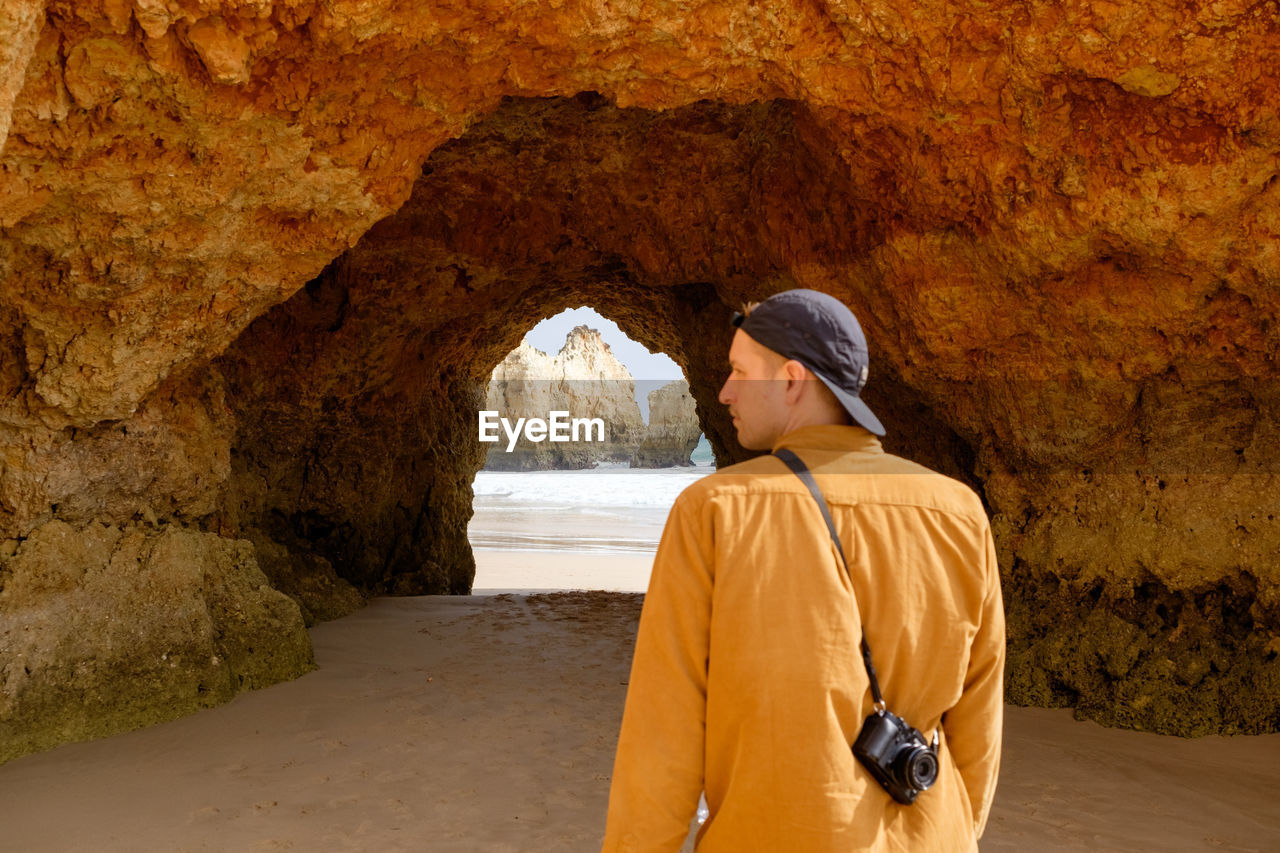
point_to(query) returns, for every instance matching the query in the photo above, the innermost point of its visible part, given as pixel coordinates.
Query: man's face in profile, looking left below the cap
(756, 393)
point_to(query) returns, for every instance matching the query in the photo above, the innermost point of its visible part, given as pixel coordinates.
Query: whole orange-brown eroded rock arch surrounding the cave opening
(1059, 226)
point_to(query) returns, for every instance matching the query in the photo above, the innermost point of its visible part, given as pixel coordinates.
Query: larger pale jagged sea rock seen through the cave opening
(584, 380)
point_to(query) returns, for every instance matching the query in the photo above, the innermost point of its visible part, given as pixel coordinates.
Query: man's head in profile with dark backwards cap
(798, 359)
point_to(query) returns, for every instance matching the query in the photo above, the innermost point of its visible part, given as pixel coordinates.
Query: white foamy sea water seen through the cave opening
(602, 510)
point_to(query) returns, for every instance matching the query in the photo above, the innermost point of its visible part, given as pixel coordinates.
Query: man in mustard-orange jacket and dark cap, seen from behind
(747, 681)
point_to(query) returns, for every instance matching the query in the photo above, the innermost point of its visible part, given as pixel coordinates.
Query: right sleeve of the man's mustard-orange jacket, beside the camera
(976, 724)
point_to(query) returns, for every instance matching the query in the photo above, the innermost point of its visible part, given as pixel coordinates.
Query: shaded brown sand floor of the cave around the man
(490, 724)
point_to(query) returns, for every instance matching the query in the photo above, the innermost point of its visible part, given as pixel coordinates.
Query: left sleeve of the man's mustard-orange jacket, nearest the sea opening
(659, 769)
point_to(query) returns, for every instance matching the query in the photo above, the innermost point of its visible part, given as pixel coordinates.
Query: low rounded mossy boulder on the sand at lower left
(108, 628)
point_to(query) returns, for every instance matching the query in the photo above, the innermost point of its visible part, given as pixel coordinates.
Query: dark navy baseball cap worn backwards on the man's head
(820, 332)
